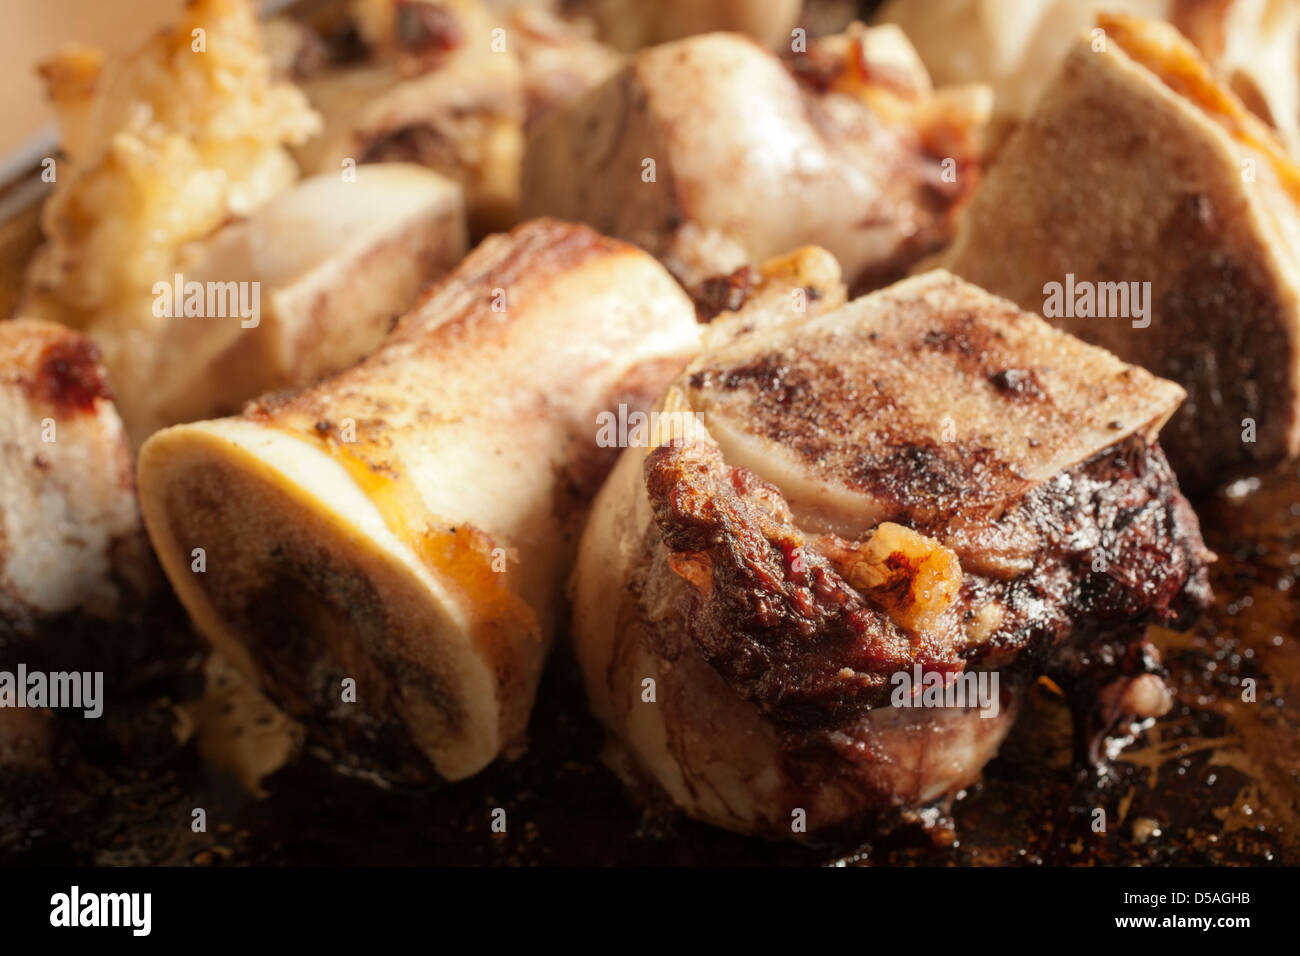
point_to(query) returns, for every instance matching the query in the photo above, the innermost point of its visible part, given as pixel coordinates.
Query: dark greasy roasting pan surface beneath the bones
(1216, 782)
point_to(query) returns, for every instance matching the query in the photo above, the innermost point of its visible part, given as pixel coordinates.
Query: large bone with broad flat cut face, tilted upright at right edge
(1193, 261)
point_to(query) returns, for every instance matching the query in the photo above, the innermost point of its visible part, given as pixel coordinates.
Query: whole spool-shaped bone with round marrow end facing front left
(370, 555)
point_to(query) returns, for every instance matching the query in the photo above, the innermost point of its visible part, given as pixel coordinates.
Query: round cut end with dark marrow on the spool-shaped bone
(304, 586)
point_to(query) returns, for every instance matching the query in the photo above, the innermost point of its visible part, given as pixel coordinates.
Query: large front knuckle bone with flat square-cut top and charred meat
(925, 482)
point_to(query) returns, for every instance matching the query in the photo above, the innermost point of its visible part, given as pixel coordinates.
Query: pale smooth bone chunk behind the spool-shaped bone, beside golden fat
(335, 261)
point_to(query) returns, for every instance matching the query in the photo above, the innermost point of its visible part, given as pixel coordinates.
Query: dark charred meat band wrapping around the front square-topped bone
(778, 621)
